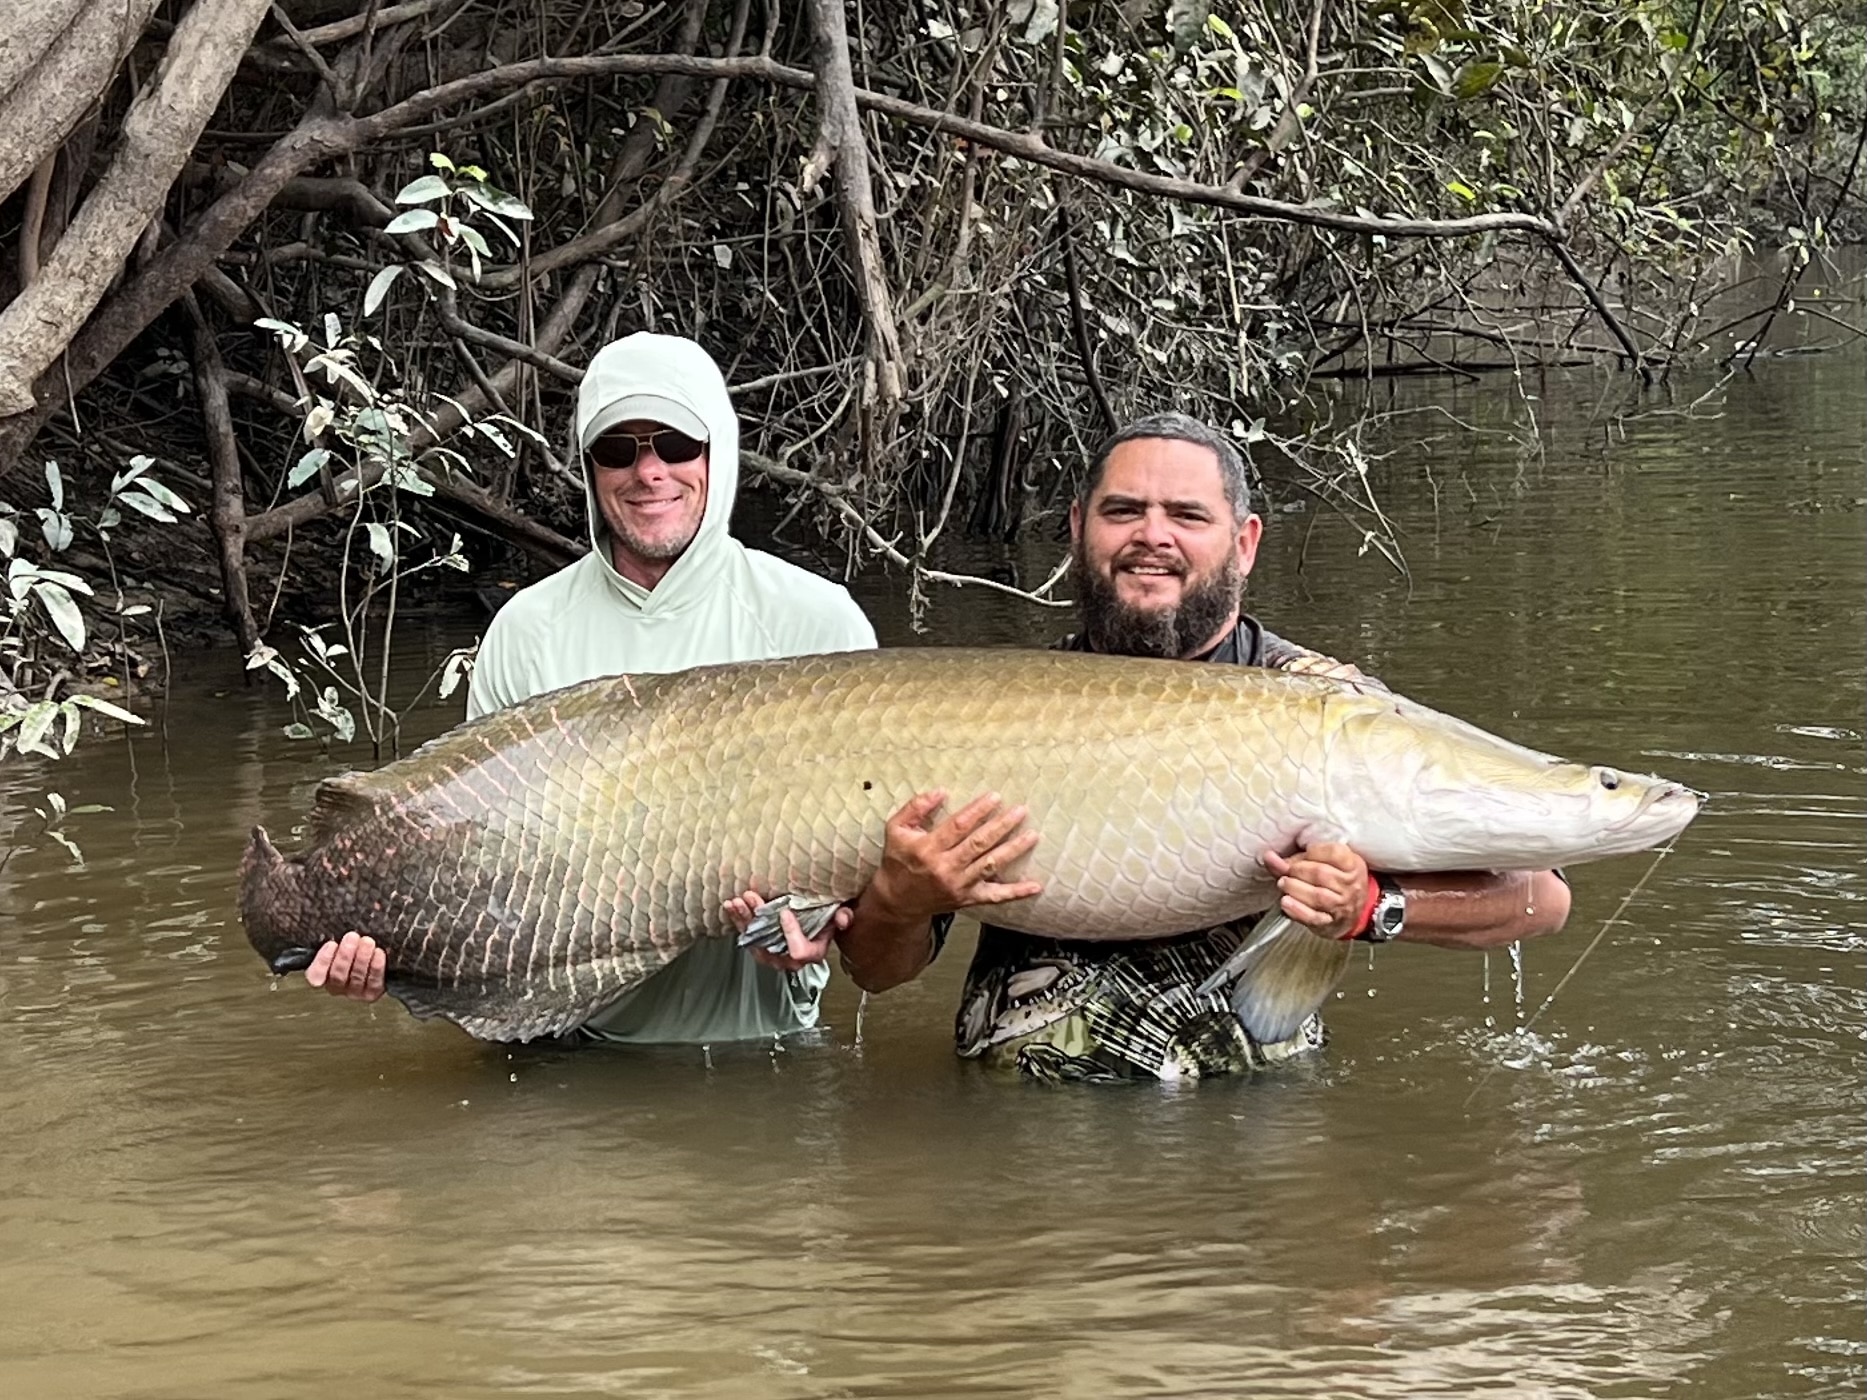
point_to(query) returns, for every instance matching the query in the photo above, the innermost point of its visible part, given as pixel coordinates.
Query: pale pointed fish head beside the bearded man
(1439, 794)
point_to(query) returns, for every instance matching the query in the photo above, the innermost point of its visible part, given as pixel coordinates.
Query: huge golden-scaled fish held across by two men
(531, 867)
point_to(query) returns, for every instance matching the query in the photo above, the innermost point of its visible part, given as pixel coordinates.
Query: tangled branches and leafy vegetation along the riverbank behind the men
(331, 268)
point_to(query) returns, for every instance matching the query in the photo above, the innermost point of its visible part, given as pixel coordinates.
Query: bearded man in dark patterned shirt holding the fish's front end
(1164, 539)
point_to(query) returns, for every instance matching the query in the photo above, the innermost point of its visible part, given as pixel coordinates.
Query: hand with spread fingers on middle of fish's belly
(955, 865)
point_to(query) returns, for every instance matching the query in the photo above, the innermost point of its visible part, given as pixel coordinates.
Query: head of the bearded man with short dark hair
(1160, 555)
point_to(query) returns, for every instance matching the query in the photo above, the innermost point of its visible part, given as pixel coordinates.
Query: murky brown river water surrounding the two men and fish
(216, 1184)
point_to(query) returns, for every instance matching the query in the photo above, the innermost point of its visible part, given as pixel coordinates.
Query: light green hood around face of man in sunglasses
(666, 380)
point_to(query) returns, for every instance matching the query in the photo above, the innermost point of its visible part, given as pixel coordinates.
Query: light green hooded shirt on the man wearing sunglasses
(722, 602)
